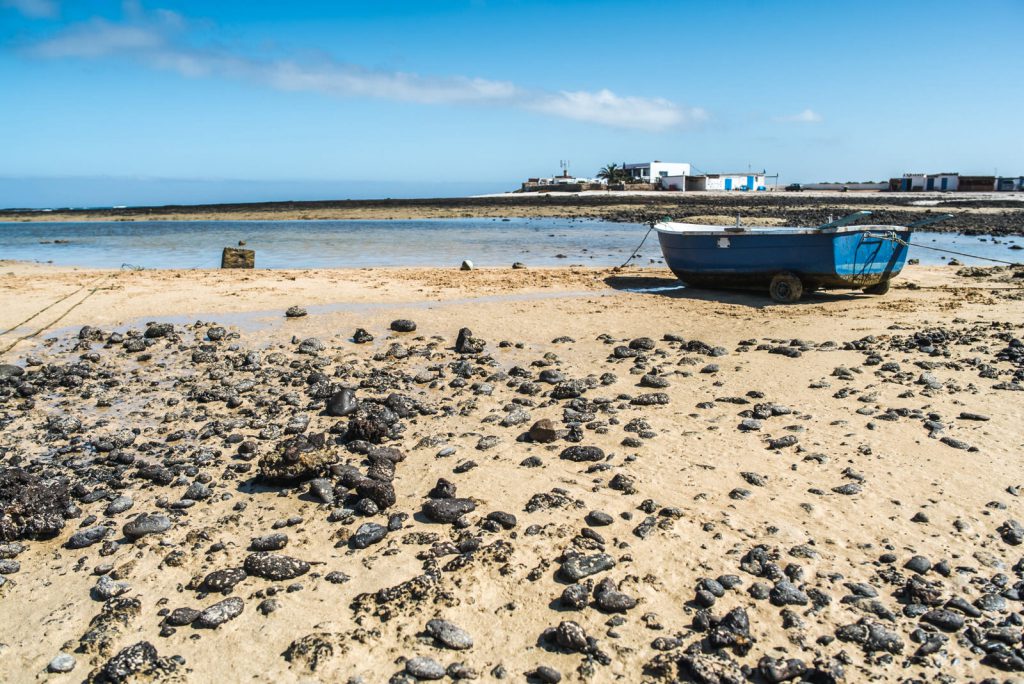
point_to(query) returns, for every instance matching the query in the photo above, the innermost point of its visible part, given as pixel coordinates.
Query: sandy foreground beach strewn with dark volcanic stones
(723, 487)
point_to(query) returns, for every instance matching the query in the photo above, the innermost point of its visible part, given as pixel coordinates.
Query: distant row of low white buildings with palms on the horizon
(679, 178)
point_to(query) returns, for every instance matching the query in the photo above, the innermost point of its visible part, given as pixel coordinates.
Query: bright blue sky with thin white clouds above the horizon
(140, 103)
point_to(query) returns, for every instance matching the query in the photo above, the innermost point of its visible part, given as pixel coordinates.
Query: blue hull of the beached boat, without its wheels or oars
(850, 260)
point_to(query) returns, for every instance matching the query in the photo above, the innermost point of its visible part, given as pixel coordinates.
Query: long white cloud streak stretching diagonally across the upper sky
(157, 39)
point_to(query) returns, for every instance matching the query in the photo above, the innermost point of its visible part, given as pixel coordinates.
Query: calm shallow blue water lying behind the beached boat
(539, 242)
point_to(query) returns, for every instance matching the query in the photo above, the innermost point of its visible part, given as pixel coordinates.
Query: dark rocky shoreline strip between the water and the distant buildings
(988, 215)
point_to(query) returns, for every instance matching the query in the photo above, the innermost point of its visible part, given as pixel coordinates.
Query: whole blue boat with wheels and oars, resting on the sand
(789, 262)
